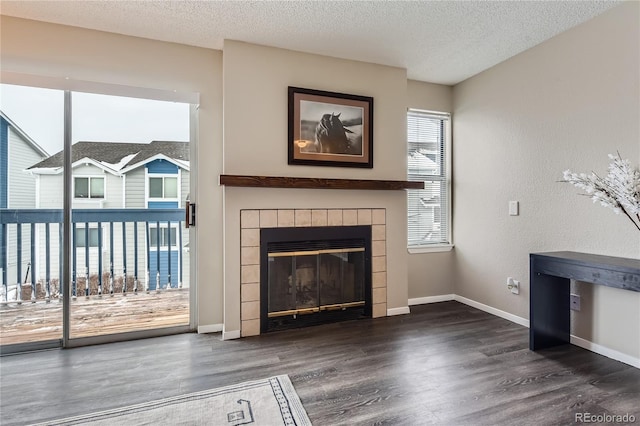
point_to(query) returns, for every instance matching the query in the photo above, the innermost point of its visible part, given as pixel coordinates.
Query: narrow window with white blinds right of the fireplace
(429, 212)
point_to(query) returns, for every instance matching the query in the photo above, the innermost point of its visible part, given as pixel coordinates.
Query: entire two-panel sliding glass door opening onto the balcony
(106, 205)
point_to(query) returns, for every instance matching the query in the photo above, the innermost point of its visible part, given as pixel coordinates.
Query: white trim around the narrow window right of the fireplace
(446, 178)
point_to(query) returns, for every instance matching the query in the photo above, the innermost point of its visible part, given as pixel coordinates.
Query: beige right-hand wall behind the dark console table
(566, 103)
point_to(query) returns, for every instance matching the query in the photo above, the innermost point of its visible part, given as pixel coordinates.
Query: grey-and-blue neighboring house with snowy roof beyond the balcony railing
(114, 175)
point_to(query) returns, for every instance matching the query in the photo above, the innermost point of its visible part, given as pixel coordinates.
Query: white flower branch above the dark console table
(619, 190)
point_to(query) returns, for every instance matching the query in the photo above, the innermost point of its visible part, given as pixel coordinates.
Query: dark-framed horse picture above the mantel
(330, 129)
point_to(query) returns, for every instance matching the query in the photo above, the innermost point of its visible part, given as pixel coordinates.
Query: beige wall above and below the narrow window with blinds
(430, 274)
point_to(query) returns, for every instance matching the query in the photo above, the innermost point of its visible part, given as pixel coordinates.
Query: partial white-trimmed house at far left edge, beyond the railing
(17, 187)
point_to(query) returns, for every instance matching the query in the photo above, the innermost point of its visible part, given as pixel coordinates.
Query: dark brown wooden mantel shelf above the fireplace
(316, 183)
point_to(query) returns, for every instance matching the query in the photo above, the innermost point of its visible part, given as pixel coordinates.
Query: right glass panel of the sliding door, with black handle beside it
(131, 169)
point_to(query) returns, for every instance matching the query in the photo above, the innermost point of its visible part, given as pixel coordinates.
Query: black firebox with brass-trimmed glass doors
(314, 275)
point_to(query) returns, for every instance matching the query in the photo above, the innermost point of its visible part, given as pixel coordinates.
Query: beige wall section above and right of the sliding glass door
(59, 51)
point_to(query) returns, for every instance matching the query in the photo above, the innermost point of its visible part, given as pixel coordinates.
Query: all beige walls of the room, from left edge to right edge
(564, 104)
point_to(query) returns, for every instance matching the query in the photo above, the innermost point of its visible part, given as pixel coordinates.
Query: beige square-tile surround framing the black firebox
(251, 221)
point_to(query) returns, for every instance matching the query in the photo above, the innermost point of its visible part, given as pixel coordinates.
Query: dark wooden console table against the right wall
(550, 275)
